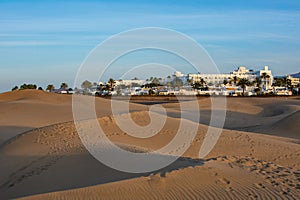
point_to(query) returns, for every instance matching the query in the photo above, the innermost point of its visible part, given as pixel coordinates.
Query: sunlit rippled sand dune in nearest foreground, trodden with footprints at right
(215, 180)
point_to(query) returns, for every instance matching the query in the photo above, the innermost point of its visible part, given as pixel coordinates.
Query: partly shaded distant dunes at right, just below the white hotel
(259, 115)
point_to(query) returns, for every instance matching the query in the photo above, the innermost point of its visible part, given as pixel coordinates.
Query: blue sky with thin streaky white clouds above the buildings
(45, 42)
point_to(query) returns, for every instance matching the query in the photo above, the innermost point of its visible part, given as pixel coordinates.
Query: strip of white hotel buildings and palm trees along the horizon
(240, 82)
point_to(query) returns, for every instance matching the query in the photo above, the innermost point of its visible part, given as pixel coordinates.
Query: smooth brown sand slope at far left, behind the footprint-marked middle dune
(27, 109)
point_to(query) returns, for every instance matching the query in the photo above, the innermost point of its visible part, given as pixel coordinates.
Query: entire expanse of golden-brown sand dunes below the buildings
(42, 157)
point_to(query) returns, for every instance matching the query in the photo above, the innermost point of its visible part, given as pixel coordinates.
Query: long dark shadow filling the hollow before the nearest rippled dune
(43, 174)
